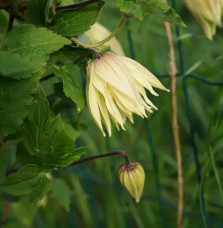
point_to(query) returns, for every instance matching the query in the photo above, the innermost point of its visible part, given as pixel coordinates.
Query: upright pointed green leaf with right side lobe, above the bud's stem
(39, 128)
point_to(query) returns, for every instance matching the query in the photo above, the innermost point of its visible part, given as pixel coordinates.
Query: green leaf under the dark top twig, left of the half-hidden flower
(76, 21)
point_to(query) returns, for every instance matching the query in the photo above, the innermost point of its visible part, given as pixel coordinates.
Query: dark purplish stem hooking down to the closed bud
(114, 153)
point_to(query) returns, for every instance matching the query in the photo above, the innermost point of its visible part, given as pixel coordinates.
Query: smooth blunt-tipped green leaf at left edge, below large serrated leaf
(15, 66)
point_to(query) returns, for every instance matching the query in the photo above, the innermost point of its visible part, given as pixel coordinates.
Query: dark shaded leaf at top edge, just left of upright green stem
(35, 13)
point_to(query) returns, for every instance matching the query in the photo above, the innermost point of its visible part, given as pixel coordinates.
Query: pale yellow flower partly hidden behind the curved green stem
(98, 32)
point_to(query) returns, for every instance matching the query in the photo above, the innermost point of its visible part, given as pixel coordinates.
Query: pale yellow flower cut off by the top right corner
(208, 13)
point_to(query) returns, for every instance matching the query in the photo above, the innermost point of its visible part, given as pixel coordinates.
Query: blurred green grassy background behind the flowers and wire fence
(90, 195)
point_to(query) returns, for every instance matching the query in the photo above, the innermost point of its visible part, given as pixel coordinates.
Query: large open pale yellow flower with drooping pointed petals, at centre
(116, 89)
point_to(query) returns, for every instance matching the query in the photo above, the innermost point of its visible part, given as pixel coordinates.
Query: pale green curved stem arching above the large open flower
(115, 31)
